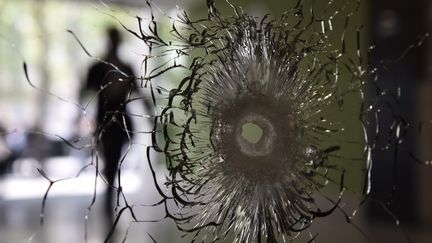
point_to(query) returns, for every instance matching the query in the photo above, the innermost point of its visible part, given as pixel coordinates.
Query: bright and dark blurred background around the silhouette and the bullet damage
(35, 32)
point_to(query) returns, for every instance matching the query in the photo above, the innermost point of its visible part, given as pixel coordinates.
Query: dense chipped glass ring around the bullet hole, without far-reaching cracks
(289, 77)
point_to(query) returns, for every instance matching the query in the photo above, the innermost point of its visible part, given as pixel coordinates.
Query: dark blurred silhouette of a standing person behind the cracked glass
(114, 81)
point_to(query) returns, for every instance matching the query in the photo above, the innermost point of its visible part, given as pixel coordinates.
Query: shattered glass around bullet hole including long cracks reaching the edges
(259, 127)
